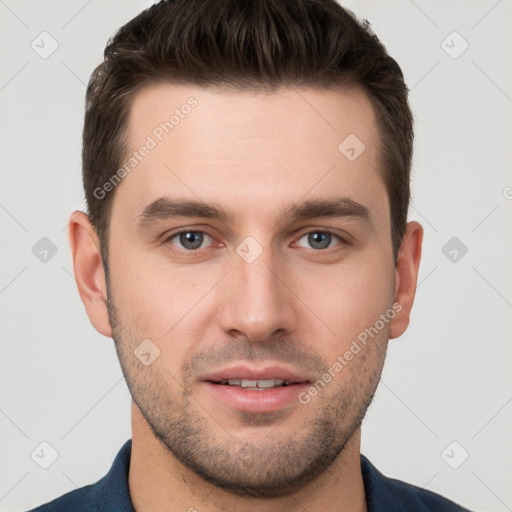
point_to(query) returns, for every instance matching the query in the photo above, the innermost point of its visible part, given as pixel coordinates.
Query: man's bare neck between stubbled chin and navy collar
(159, 482)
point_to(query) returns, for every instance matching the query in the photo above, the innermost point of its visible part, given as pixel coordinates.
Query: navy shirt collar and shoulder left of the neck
(109, 493)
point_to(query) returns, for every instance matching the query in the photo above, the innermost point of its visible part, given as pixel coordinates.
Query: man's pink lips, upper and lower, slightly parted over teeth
(251, 400)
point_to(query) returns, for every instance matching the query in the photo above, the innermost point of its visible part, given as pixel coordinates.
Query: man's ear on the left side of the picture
(89, 271)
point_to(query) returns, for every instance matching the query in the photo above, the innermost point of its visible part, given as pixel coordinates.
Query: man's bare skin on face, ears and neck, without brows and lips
(295, 305)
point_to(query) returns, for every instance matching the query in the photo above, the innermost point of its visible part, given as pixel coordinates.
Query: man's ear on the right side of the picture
(406, 277)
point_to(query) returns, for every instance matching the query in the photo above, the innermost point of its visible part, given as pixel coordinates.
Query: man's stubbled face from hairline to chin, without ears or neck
(260, 294)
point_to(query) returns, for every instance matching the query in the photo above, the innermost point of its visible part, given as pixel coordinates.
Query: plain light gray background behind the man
(447, 379)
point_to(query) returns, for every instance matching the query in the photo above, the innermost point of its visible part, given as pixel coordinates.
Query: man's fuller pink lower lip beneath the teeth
(268, 400)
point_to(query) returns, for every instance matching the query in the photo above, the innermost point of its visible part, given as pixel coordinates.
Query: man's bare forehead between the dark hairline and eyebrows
(251, 150)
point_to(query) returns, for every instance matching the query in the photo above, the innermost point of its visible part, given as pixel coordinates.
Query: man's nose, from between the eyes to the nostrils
(257, 300)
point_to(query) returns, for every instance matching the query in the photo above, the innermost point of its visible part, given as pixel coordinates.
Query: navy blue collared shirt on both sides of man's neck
(111, 493)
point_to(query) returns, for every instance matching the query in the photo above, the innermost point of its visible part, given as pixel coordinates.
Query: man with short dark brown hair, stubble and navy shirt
(246, 167)
